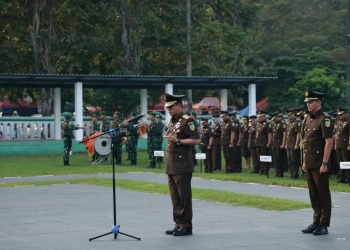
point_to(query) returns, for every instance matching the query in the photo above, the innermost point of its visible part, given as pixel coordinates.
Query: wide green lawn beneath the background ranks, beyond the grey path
(11, 166)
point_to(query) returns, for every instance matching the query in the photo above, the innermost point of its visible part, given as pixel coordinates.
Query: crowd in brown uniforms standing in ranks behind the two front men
(226, 138)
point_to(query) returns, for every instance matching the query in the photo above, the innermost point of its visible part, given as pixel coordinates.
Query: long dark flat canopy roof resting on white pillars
(126, 81)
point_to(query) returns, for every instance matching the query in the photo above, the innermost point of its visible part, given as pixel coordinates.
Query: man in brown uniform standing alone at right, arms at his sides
(317, 132)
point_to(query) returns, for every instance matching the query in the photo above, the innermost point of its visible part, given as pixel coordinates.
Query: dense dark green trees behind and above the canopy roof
(301, 42)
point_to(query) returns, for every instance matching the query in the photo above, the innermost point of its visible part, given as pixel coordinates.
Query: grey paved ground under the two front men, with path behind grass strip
(65, 216)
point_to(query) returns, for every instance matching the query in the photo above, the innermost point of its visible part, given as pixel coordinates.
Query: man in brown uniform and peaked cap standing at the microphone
(181, 135)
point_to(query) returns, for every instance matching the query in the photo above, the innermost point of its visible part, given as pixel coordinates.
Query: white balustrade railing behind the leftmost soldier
(31, 128)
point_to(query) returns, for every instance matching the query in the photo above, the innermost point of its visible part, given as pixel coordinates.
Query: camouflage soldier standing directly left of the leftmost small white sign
(152, 140)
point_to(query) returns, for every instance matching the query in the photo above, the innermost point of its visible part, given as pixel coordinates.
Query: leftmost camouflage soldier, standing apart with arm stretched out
(67, 131)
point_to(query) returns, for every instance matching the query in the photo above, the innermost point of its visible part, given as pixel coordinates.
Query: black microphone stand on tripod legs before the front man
(115, 229)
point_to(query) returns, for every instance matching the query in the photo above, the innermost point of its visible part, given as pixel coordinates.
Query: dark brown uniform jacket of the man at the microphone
(179, 159)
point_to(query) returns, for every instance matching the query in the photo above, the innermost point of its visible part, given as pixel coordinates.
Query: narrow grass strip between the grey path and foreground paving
(260, 202)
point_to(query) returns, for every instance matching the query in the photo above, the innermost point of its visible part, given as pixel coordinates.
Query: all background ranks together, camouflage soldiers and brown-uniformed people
(225, 137)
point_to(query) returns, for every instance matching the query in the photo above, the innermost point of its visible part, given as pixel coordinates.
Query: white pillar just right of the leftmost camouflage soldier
(78, 94)
